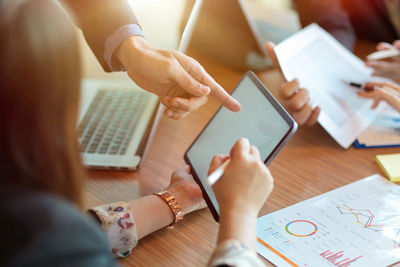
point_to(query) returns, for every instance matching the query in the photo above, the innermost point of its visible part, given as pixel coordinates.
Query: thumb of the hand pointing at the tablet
(190, 84)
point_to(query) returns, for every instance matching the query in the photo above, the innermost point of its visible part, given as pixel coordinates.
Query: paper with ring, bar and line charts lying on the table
(354, 225)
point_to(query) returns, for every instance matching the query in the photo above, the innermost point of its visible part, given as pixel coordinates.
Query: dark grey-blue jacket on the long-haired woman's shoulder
(38, 229)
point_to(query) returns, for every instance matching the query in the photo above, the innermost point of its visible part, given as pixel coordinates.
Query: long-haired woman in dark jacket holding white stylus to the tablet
(41, 174)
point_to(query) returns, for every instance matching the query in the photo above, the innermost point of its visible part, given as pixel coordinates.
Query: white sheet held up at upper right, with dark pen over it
(322, 64)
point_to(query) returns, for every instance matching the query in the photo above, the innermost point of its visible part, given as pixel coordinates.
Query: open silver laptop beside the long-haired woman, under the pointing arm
(118, 119)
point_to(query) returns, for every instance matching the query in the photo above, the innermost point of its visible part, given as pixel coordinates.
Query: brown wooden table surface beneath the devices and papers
(311, 163)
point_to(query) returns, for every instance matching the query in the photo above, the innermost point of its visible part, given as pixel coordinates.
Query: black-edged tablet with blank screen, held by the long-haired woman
(262, 120)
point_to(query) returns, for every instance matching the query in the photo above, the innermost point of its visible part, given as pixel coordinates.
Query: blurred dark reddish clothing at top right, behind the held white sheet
(348, 20)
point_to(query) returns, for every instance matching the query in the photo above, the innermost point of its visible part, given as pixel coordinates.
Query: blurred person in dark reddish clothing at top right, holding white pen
(376, 21)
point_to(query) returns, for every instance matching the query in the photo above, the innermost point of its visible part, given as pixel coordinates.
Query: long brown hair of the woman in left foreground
(39, 93)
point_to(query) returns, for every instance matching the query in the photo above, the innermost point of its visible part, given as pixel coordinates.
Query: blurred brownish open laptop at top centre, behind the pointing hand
(227, 31)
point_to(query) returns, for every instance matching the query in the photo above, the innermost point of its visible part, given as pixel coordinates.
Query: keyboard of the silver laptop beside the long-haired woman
(109, 123)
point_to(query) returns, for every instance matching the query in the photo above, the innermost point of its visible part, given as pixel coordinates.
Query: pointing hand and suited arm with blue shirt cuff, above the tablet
(116, 38)
